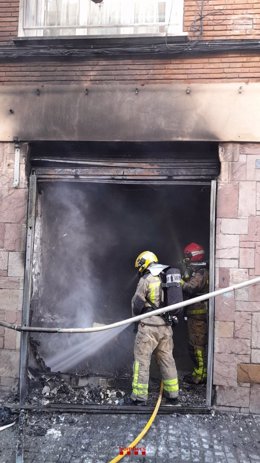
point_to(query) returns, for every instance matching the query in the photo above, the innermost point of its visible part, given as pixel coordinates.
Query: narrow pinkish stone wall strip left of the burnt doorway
(13, 203)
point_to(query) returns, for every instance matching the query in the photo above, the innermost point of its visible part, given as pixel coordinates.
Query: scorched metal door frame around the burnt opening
(57, 174)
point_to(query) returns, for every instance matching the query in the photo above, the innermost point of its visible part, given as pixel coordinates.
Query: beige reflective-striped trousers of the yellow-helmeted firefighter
(157, 340)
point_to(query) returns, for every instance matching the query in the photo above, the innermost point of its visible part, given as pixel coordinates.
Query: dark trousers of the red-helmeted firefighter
(198, 338)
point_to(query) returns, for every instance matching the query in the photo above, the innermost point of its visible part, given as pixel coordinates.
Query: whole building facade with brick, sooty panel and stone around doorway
(155, 72)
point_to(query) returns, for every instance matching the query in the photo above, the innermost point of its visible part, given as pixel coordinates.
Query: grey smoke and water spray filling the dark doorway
(88, 237)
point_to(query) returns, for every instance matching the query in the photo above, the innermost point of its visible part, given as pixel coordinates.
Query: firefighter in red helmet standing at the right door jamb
(195, 282)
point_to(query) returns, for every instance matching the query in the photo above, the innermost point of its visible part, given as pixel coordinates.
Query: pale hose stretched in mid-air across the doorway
(137, 318)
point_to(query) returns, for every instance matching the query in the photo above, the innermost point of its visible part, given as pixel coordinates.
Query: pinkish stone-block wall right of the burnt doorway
(237, 329)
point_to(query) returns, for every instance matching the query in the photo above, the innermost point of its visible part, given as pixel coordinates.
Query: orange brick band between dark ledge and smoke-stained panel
(225, 68)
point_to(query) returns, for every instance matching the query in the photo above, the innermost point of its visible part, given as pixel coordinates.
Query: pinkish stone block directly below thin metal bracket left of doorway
(13, 206)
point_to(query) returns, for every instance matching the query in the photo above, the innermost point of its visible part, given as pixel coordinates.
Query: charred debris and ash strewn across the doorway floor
(50, 388)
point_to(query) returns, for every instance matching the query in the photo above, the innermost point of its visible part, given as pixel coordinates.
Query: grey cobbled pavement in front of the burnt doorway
(98, 438)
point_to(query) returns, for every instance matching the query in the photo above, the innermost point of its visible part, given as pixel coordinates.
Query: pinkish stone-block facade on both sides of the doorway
(237, 314)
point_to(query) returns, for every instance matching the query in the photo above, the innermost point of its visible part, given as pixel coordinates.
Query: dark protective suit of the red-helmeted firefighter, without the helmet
(197, 316)
